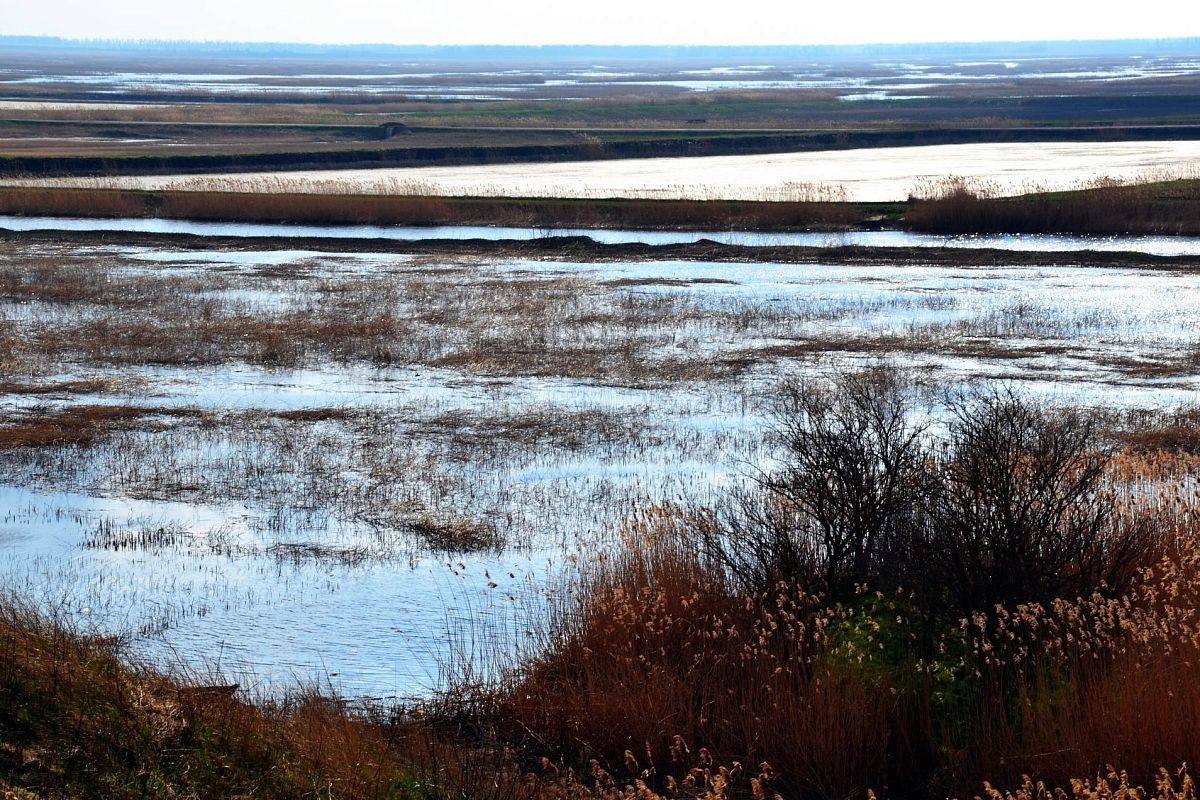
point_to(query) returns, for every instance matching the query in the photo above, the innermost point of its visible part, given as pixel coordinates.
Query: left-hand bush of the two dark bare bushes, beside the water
(848, 486)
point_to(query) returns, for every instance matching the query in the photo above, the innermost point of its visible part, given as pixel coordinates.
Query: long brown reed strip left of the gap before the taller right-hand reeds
(409, 202)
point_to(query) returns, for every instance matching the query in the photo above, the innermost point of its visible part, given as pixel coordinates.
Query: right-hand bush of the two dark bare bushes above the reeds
(1017, 509)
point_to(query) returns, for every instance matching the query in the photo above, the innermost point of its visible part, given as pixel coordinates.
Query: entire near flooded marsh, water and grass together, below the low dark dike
(349, 468)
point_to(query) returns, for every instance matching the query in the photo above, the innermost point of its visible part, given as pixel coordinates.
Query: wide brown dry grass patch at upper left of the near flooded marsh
(524, 326)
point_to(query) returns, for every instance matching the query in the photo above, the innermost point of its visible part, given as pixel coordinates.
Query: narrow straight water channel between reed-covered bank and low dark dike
(1043, 243)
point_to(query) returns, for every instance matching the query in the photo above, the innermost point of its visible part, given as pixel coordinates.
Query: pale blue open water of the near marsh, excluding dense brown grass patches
(232, 503)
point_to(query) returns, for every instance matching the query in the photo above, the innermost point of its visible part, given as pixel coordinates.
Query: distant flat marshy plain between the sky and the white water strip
(85, 110)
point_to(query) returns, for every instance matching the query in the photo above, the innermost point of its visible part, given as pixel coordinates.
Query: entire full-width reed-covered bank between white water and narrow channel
(950, 207)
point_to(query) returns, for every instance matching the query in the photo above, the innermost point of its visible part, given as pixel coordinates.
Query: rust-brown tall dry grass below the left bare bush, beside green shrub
(656, 645)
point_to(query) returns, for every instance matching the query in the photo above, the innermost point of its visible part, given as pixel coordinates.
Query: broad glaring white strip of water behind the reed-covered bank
(869, 176)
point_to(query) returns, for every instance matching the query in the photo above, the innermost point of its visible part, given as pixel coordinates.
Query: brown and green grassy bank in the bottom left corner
(79, 721)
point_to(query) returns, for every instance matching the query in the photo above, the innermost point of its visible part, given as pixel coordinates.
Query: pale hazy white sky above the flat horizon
(602, 22)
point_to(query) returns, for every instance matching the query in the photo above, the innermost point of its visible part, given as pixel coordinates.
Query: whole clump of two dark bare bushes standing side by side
(1011, 504)
